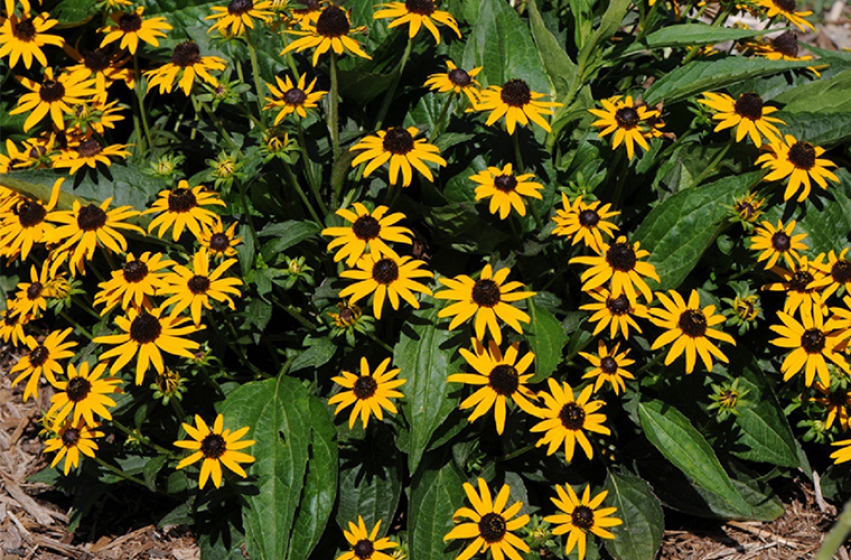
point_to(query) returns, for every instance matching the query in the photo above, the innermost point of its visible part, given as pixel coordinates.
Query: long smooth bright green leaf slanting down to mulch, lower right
(675, 437)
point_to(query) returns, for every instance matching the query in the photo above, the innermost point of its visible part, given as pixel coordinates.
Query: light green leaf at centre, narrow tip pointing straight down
(427, 354)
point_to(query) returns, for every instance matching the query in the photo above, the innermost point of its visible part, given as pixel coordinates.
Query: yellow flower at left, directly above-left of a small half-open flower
(183, 208)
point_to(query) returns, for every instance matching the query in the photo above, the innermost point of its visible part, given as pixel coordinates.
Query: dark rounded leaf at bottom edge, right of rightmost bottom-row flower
(640, 535)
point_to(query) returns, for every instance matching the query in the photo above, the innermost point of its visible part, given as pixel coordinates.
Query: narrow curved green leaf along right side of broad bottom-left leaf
(320, 486)
